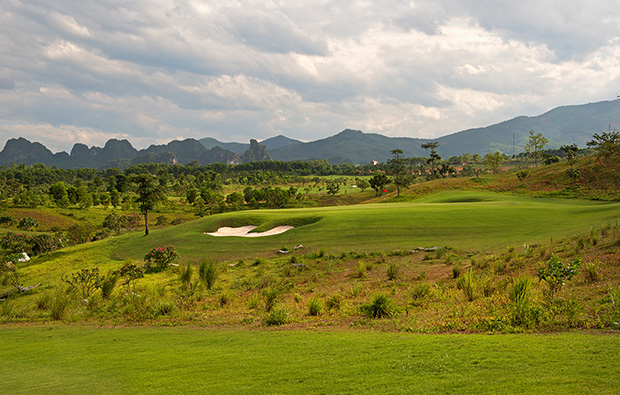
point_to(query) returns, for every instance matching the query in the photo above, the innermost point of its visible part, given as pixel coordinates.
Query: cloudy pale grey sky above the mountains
(154, 71)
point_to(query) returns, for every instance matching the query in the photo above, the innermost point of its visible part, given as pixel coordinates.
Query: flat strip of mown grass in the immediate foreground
(60, 359)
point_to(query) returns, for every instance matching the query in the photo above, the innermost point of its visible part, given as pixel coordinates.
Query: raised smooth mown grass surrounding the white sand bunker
(471, 221)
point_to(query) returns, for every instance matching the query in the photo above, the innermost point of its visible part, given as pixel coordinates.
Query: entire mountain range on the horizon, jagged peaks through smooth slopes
(562, 125)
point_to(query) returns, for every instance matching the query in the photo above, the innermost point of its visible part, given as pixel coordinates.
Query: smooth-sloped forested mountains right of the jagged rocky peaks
(562, 125)
